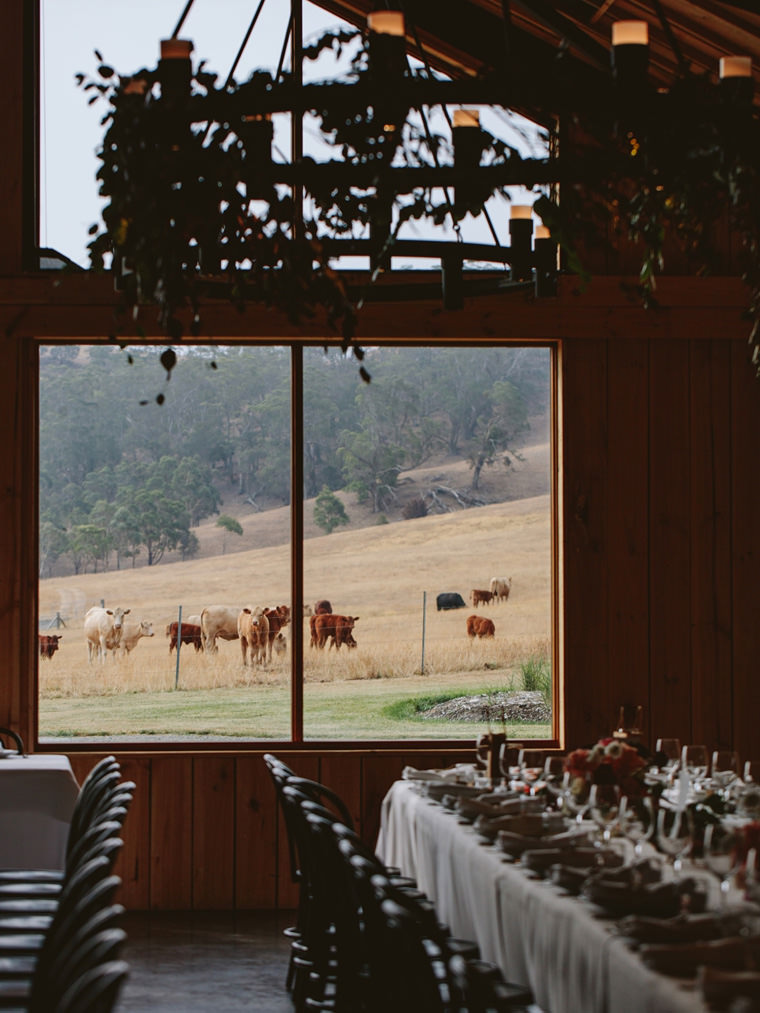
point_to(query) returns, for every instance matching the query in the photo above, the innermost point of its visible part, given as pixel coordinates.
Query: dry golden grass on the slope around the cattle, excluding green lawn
(381, 574)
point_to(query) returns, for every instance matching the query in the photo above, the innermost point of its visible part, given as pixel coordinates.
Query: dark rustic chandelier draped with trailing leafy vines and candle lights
(199, 207)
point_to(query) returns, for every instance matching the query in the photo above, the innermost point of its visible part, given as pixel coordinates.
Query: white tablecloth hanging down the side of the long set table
(573, 962)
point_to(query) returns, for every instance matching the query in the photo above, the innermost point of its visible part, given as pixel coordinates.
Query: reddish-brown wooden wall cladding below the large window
(204, 832)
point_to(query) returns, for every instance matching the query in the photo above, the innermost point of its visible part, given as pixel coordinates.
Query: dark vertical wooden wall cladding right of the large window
(662, 540)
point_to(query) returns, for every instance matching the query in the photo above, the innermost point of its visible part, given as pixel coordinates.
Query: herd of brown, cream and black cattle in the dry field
(260, 631)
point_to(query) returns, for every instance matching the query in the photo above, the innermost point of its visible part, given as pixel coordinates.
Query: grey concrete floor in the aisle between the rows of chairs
(206, 963)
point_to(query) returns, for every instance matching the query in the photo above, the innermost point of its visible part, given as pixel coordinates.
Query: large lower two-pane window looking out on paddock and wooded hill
(418, 491)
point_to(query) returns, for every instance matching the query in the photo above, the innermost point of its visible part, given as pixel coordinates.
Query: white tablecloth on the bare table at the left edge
(37, 801)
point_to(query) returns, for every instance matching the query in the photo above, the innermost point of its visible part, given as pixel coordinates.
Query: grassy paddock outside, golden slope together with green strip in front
(374, 574)
